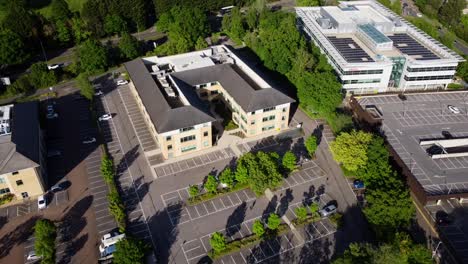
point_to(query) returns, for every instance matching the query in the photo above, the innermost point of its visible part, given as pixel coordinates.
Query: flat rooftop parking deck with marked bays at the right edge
(421, 117)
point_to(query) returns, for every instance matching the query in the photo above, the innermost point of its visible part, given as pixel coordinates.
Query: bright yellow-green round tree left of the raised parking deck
(350, 149)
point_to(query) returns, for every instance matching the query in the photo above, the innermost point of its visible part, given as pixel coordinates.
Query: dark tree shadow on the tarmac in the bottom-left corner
(17, 236)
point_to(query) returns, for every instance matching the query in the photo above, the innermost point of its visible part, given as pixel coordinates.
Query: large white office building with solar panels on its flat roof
(374, 50)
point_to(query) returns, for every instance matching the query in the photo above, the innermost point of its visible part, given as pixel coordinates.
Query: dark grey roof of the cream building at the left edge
(21, 149)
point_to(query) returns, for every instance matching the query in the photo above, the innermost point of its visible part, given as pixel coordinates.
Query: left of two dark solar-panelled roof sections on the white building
(350, 50)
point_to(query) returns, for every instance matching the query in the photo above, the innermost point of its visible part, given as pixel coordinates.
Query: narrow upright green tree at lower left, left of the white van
(44, 245)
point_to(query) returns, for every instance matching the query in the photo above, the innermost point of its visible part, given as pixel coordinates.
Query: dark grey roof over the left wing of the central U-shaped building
(162, 115)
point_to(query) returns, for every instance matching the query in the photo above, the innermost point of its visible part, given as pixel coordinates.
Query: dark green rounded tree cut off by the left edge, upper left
(12, 50)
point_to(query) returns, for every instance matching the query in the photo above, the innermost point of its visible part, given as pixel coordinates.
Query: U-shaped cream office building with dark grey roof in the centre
(176, 95)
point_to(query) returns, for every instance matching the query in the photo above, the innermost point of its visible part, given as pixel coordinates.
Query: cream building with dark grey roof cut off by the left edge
(22, 159)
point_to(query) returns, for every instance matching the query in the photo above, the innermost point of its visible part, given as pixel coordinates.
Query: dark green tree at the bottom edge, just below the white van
(130, 250)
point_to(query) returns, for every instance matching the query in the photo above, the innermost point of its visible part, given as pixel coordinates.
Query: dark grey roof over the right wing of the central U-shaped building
(243, 92)
